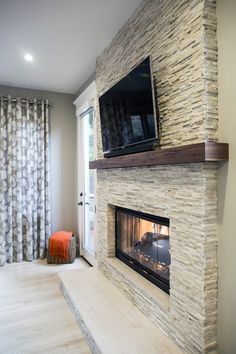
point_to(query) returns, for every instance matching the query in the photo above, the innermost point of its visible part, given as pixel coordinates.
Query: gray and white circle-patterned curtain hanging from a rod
(24, 179)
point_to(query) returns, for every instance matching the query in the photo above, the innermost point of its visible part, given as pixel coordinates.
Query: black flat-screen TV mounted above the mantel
(128, 115)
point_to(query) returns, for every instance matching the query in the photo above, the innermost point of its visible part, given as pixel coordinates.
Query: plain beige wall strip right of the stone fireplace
(226, 14)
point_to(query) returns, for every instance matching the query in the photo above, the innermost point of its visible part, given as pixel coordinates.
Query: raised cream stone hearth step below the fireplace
(110, 322)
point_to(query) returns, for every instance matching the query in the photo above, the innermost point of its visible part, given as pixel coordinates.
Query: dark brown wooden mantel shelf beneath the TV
(201, 152)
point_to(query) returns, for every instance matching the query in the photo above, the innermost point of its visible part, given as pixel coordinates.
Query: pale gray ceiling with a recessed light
(64, 36)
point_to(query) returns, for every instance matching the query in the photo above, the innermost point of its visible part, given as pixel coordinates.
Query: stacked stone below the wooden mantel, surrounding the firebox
(186, 194)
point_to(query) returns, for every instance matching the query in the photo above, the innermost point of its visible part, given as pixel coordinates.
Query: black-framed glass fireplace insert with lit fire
(143, 243)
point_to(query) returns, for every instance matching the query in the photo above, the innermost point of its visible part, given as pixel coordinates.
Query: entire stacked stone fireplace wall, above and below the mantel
(181, 38)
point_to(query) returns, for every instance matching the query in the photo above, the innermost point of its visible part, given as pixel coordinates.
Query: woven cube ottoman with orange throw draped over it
(61, 248)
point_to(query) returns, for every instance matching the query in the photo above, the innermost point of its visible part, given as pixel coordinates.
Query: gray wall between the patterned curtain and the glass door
(62, 155)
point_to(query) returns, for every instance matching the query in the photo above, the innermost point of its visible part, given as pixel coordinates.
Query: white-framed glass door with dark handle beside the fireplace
(86, 187)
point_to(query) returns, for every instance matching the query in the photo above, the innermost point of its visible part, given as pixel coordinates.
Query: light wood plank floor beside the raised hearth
(34, 316)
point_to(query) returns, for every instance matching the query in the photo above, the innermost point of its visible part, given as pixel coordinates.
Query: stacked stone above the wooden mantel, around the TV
(181, 38)
